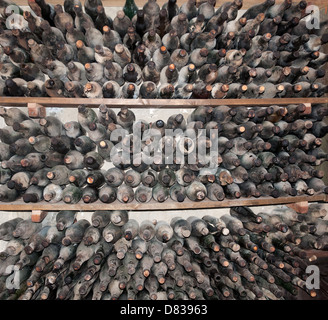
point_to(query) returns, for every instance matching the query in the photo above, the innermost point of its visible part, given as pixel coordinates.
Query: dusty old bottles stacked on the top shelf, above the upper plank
(194, 50)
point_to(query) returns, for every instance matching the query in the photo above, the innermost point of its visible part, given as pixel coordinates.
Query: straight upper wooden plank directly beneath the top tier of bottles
(153, 103)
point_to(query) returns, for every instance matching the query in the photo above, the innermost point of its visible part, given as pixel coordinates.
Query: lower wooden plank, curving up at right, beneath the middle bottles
(19, 205)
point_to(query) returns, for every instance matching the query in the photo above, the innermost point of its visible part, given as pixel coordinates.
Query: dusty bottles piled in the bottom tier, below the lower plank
(241, 255)
